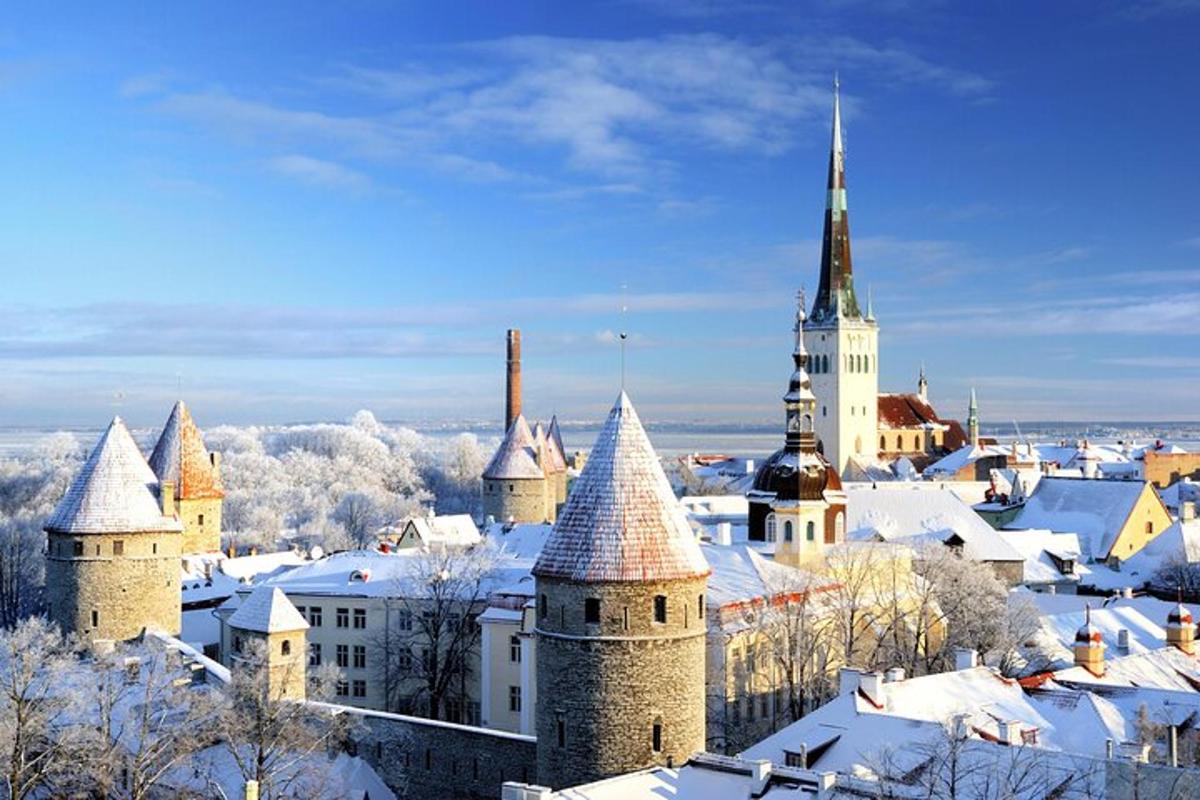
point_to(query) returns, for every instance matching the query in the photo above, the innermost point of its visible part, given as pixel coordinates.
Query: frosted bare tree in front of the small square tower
(280, 743)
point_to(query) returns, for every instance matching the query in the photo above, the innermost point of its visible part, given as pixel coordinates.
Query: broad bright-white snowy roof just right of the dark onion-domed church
(922, 512)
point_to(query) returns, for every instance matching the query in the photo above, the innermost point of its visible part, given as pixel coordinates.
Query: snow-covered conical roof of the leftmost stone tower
(115, 492)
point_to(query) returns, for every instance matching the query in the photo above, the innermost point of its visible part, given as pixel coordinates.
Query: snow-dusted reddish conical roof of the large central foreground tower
(622, 521)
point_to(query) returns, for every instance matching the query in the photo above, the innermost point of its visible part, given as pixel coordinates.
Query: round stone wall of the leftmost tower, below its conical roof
(129, 581)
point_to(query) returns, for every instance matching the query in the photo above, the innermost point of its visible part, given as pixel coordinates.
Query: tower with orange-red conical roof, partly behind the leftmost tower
(182, 458)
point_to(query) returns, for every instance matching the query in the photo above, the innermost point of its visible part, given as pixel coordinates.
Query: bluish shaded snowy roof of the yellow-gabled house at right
(1096, 510)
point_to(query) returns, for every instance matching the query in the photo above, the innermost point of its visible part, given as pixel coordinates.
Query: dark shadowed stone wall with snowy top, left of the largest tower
(421, 759)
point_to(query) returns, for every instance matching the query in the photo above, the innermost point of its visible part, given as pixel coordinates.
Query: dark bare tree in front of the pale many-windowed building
(430, 641)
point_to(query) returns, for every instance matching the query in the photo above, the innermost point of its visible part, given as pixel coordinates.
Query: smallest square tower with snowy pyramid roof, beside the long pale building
(268, 627)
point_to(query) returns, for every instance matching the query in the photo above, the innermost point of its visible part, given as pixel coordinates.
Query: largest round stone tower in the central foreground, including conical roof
(620, 619)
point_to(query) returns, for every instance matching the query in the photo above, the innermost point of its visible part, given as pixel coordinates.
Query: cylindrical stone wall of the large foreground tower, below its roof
(603, 688)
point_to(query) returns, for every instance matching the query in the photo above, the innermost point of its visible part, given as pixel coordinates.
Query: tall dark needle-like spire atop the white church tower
(836, 296)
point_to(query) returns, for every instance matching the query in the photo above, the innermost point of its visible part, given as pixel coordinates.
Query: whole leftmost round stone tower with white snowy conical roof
(113, 548)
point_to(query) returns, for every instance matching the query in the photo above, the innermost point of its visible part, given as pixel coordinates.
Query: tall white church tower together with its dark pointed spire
(844, 344)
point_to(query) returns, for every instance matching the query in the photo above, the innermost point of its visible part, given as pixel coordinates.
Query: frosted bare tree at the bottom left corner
(38, 709)
